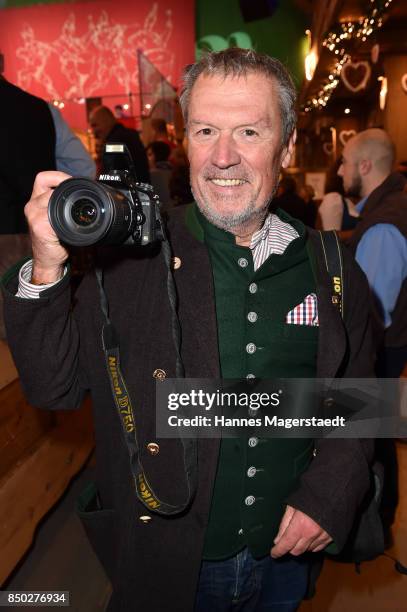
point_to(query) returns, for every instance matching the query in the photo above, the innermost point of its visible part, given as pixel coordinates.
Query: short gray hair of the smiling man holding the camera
(240, 62)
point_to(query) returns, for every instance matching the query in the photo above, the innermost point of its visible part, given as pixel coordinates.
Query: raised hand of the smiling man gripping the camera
(48, 253)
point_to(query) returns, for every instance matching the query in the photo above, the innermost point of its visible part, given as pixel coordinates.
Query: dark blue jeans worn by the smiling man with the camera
(245, 584)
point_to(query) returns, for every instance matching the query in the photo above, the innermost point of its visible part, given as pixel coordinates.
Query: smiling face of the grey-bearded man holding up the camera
(234, 148)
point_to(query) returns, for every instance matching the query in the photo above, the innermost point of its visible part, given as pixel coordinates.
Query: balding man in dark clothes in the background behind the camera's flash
(106, 128)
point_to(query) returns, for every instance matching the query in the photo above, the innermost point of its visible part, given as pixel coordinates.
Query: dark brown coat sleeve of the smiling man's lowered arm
(337, 480)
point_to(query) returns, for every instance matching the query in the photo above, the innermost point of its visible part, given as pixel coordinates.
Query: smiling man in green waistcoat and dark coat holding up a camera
(240, 274)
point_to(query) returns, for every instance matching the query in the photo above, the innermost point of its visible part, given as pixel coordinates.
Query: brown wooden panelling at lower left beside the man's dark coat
(40, 452)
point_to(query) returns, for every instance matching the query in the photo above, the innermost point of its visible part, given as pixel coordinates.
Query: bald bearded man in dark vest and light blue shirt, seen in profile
(380, 237)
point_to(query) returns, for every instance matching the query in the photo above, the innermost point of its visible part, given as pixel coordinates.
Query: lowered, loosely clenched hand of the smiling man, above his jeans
(298, 533)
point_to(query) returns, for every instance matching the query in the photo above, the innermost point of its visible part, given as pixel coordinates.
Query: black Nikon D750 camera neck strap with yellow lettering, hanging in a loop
(122, 400)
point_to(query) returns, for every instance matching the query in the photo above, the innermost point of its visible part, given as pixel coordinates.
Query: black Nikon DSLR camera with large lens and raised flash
(115, 209)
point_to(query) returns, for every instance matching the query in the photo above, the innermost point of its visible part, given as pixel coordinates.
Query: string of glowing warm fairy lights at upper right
(337, 41)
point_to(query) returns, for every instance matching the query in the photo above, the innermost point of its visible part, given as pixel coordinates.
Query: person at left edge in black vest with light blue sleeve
(34, 137)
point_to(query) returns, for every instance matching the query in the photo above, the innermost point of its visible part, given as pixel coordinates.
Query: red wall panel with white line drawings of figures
(88, 49)
